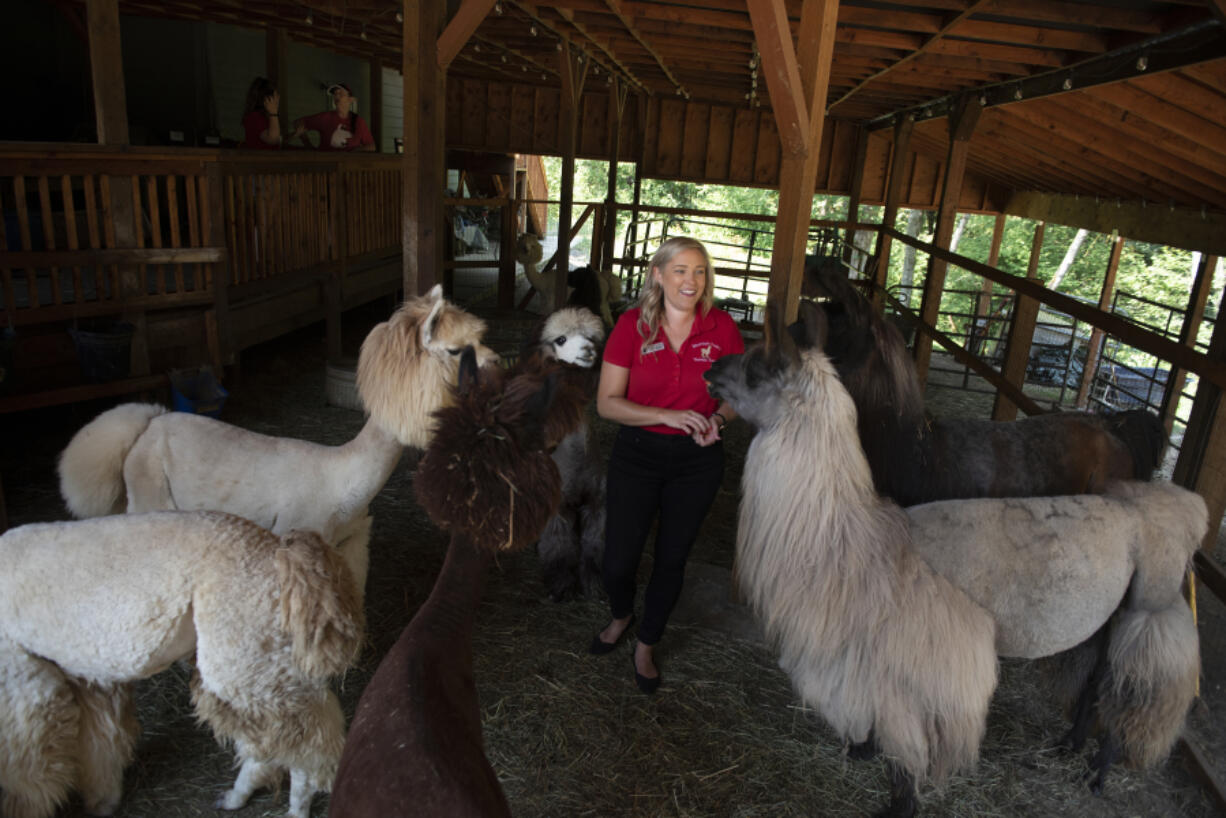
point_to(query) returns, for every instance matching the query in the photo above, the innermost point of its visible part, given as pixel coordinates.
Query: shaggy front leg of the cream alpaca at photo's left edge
(39, 730)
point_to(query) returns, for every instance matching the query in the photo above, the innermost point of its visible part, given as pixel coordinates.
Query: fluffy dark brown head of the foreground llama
(487, 474)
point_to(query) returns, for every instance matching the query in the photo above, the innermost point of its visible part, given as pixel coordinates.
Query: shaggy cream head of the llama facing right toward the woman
(409, 364)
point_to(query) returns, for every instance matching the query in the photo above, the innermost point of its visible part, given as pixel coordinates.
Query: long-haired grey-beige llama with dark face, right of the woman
(889, 622)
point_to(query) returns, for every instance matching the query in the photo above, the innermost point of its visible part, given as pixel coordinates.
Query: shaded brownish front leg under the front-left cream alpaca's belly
(106, 744)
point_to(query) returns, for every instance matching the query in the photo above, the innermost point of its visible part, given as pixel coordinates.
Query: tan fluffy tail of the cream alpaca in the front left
(321, 605)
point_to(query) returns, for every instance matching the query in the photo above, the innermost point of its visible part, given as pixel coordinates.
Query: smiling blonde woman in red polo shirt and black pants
(668, 457)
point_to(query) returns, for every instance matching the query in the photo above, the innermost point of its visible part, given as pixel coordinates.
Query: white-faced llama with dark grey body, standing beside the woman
(572, 546)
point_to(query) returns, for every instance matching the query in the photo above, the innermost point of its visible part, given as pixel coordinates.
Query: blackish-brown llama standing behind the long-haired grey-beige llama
(916, 459)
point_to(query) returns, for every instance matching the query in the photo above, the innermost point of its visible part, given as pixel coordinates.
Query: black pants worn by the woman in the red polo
(650, 474)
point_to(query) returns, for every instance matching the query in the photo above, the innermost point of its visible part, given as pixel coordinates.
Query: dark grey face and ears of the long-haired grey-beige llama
(761, 382)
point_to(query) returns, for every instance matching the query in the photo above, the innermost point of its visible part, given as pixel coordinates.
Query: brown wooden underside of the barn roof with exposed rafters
(1121, 100)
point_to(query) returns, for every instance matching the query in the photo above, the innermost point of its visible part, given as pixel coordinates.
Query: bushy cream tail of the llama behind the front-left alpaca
(93, 465)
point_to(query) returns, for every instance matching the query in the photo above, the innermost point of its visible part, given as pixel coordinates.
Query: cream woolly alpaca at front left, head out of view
(90, 606)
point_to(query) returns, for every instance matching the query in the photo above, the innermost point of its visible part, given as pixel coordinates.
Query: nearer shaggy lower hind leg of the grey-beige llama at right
(1154, 660)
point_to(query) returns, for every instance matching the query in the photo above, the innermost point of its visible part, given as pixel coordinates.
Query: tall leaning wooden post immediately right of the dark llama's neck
(962, 126)
